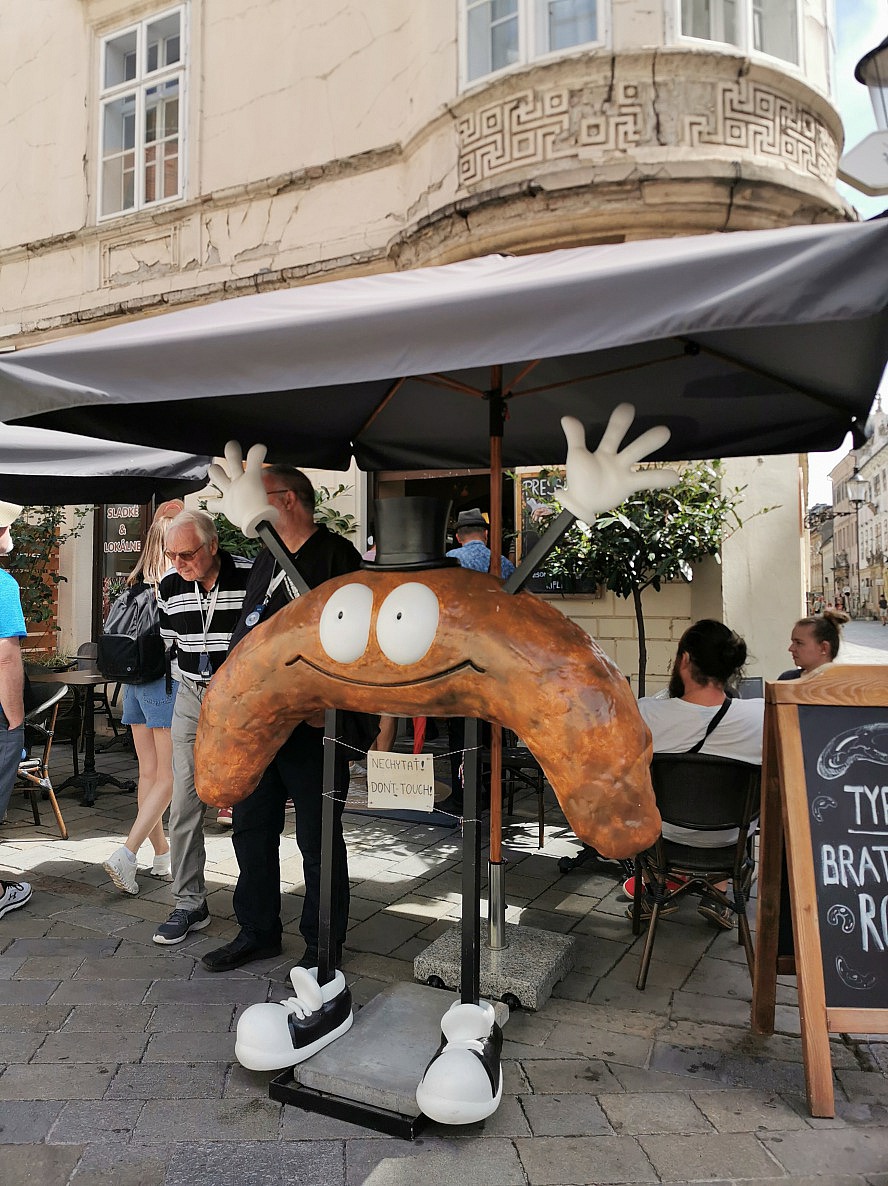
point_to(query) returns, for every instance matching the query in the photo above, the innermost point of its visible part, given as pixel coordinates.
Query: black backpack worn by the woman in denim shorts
(131, 649)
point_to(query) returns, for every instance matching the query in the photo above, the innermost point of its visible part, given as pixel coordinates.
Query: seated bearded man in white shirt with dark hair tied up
(700, 717)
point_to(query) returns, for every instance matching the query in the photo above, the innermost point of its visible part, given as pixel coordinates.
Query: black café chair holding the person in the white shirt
(705, 794)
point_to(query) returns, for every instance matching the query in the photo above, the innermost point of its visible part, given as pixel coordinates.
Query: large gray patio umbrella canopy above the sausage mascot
(746, 343)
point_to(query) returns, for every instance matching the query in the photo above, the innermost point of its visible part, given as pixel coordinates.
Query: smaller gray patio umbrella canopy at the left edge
(40, 467)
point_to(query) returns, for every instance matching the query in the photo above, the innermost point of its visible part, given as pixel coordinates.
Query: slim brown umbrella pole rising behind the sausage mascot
(496, 896)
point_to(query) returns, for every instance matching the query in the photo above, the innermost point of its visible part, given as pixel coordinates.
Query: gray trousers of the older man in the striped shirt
(187, 812)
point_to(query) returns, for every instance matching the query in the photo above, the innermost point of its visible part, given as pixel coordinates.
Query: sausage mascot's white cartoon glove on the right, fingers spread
(602, 481)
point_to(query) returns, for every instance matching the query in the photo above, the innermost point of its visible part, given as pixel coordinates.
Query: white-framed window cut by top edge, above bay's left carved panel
(501, 34)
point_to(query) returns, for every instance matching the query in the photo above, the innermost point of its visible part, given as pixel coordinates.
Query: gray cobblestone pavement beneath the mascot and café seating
(117, 1057)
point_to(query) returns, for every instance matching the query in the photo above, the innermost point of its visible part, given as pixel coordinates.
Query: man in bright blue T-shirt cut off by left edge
(12, 687)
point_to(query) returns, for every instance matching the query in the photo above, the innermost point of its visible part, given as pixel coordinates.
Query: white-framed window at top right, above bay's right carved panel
(766, 27)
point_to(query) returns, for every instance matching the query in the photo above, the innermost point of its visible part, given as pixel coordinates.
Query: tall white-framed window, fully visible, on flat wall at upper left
(142, 93)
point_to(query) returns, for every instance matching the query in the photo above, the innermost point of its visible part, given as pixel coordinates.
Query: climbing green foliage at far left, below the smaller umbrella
(39, 534)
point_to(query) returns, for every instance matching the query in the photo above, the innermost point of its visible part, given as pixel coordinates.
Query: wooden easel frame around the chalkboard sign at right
(785, 827)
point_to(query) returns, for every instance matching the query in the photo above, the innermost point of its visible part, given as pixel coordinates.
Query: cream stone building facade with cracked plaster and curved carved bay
(180, 154)
